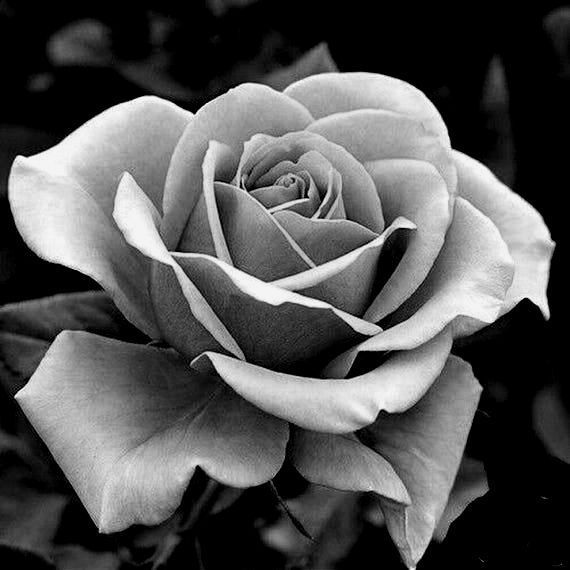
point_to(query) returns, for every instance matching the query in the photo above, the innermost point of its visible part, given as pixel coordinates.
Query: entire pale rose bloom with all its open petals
(305, 260)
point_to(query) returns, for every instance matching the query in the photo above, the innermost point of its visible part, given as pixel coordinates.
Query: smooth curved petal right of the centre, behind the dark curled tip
(415, 190)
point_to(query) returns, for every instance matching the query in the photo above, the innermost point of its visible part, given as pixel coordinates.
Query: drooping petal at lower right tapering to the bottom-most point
(425, 445)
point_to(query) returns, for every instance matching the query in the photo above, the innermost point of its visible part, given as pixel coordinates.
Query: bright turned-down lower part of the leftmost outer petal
(63, 223)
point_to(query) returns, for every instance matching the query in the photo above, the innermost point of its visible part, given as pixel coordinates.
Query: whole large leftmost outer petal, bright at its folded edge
(62, 199)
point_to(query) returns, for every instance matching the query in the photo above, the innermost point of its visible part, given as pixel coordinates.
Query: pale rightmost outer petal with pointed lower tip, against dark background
(520, 225)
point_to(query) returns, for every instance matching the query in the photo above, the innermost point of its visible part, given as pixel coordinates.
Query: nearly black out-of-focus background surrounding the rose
(500, 78)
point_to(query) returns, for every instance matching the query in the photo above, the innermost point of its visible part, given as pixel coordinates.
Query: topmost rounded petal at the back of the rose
(330, 93)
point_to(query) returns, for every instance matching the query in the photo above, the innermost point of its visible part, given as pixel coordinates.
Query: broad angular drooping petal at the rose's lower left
(129, 424)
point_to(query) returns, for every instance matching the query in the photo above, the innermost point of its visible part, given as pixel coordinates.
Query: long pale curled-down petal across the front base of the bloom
(334, 405)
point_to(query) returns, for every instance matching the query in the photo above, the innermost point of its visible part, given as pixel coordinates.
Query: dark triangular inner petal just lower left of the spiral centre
(257, 243)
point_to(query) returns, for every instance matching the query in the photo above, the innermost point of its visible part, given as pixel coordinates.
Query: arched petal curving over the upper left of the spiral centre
(231, 119)
